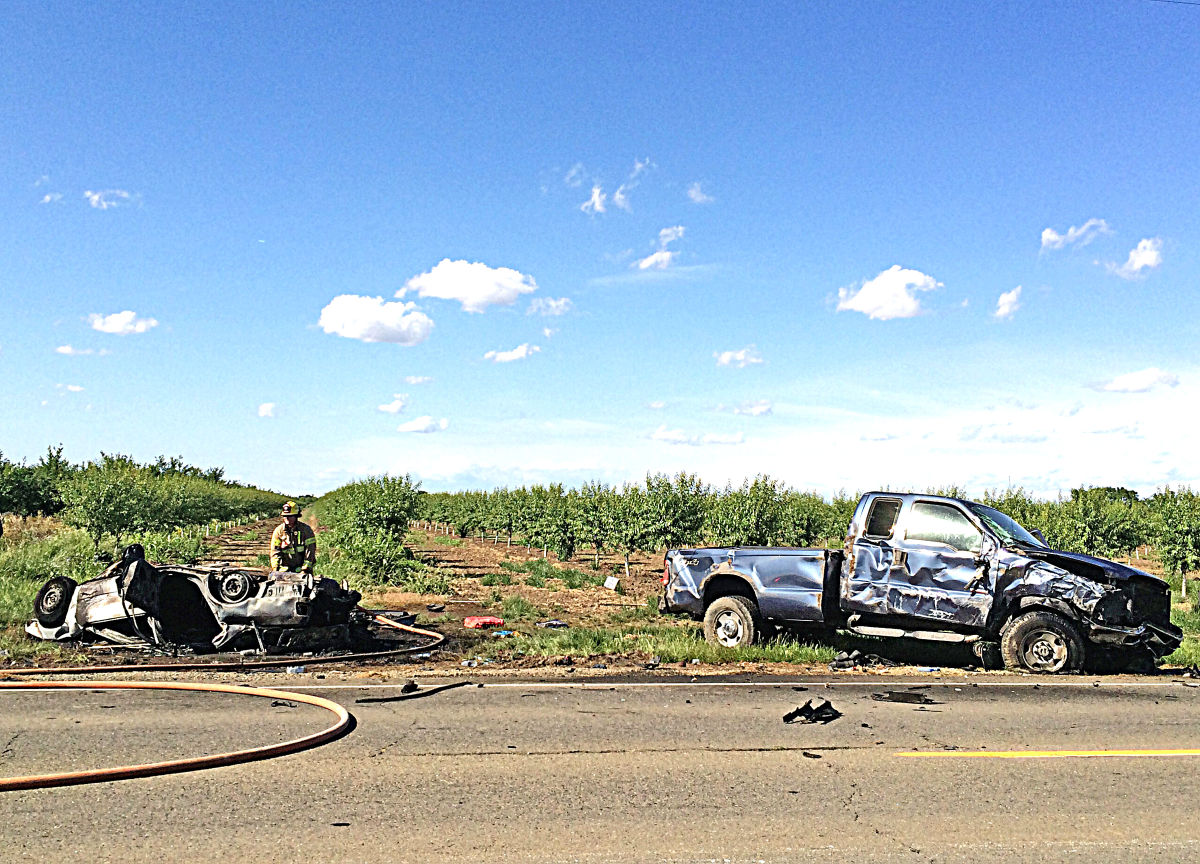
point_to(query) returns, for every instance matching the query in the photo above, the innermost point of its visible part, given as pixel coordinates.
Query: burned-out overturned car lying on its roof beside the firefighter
(206, 609)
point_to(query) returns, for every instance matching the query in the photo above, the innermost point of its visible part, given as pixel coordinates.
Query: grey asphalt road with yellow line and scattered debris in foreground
(691, 772)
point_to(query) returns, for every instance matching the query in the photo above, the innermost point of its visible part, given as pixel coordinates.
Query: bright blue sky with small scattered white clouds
(851, 245)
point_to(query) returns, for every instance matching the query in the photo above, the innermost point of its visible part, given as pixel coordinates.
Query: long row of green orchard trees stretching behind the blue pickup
(675, 512)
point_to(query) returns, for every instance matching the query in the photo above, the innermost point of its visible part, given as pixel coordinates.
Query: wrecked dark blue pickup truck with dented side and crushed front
(933, 568)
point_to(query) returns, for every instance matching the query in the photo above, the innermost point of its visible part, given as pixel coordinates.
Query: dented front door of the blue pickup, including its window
(941, 566)
